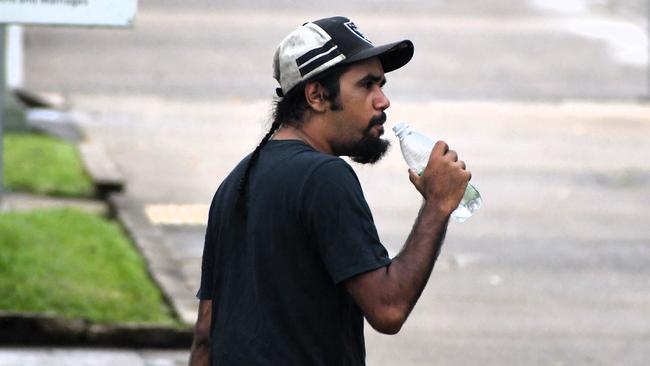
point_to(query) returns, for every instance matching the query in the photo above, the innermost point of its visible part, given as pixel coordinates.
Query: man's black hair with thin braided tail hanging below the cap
(290, 109)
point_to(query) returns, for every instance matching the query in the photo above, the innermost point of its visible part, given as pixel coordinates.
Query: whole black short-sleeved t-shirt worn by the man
(274, 275)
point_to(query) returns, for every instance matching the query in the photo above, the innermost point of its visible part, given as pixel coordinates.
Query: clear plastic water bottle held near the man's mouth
(416, 149)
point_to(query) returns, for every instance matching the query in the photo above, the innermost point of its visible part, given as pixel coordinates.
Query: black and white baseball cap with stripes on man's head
(319, 45)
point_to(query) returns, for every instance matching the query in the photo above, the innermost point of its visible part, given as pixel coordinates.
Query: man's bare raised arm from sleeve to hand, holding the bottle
(388, 294)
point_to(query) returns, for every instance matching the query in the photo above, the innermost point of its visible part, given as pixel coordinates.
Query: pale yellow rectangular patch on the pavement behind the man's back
(175, 214)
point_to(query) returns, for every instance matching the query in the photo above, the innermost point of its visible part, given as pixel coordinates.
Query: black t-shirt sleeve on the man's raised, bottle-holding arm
(339, 219)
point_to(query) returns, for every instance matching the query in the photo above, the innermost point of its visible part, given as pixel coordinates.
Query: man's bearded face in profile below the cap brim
(358, 125)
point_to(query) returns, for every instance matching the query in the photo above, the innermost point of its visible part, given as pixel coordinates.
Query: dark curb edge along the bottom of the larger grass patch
(40, 330)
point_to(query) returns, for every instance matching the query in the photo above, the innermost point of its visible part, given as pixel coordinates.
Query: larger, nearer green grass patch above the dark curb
(76, 265)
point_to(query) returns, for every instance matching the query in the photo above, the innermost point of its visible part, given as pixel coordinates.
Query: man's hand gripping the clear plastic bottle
(444, 179)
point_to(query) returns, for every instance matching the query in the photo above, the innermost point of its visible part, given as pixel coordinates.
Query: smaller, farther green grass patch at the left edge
(44, 165)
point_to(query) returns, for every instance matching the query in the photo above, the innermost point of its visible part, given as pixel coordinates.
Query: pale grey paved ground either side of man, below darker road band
(552, 270)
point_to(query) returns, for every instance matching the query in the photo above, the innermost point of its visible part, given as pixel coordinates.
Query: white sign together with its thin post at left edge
(78, 13)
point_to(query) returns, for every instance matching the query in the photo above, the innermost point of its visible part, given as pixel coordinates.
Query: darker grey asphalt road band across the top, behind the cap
(499, 50)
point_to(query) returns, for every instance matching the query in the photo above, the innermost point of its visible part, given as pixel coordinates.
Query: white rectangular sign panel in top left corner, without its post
(69, 12)
